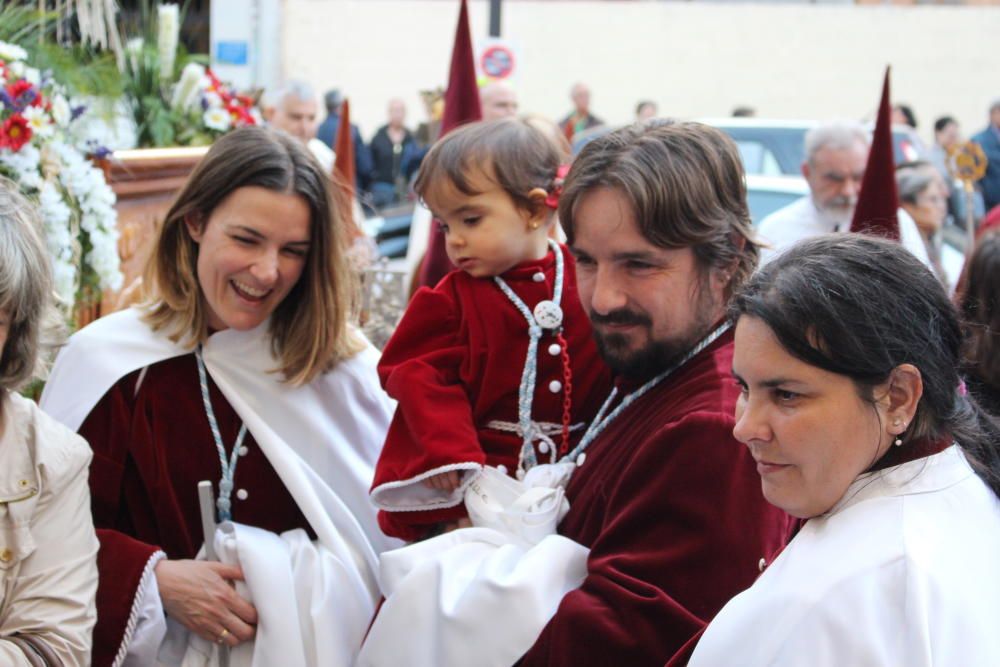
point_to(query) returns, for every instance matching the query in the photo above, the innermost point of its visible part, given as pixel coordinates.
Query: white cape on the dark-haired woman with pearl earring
(903, 571)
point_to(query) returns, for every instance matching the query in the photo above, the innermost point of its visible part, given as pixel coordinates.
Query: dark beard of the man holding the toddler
(655, 356)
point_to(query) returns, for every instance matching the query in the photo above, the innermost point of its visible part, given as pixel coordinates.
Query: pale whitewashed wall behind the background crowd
(694, 59)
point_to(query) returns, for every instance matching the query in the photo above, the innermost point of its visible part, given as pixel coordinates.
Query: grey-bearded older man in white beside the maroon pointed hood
(836, 157)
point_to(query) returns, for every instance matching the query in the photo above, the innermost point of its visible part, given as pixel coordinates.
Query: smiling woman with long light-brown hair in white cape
(241, 369)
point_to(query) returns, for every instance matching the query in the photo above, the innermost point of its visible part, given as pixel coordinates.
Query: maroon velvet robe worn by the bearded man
(672, 510)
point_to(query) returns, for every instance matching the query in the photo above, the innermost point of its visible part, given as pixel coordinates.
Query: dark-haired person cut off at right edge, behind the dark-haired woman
(980, 305)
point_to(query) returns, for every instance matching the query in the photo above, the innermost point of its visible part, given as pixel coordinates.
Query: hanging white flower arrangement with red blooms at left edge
(41, 153)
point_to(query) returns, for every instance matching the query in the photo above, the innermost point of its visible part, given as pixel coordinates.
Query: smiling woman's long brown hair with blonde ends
(309, 329)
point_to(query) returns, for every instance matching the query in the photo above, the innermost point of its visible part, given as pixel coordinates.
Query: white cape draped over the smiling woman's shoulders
(322, 438)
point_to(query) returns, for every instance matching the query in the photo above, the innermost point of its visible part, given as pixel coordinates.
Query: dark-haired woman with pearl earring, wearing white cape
(847, 354)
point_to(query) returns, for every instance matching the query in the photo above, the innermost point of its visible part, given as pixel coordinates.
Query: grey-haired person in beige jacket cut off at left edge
(48, 549)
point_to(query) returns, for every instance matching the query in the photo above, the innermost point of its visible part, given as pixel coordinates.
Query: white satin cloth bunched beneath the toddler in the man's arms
(479, 596)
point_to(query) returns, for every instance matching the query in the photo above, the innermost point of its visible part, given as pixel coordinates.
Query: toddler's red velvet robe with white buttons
(455, 363)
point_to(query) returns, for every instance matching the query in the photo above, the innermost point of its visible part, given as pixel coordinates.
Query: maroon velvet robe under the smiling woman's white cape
(151, 448)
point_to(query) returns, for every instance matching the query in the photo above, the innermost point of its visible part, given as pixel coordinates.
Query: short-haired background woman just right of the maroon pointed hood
(924, 195)
